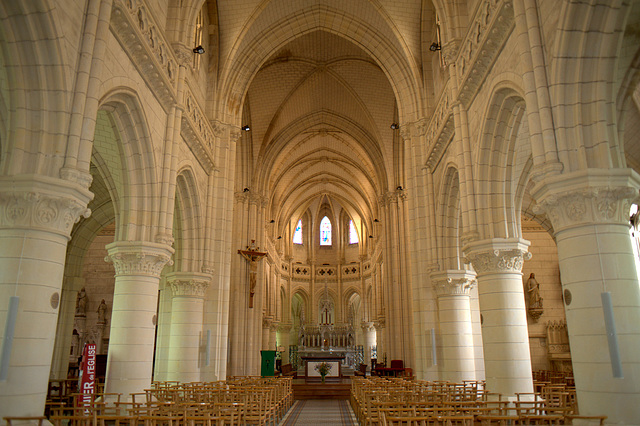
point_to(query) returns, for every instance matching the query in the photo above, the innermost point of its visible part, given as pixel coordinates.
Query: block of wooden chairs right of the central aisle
(392, 402)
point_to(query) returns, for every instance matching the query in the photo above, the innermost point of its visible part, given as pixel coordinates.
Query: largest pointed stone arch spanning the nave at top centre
(253, 45)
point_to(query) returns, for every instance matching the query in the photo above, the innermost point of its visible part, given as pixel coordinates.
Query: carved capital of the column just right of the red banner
(138, 257)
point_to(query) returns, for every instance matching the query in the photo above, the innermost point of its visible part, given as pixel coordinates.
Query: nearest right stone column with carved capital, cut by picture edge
(589, 211)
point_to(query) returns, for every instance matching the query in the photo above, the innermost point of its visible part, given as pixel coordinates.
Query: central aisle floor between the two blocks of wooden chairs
(319, 412)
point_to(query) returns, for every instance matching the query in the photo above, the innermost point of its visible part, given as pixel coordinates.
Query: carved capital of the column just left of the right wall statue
(497, 255)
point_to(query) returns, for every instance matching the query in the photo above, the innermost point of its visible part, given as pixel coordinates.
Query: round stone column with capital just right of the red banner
(138, 265)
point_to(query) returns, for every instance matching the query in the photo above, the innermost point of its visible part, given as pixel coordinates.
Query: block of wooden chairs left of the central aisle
(241, 401)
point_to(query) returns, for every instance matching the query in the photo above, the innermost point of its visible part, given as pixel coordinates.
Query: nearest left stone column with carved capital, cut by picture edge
(36, 217)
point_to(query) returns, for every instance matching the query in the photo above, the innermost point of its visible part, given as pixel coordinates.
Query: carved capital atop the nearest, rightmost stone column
(587, 197)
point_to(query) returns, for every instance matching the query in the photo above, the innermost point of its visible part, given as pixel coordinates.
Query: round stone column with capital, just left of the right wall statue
(498, 263)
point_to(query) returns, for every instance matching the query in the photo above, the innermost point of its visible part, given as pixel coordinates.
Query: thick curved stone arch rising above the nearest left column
(38, 118)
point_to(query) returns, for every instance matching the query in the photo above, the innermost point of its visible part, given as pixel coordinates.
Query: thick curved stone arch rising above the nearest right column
(587, 106)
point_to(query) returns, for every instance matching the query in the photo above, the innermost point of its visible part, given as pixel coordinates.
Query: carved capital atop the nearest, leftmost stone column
(44, 203)
